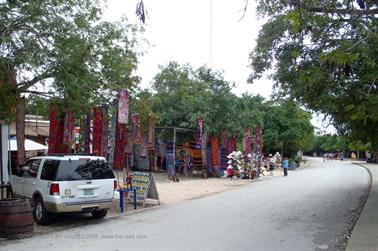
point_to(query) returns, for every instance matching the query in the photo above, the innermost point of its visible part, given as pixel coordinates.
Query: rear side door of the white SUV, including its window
(29, 175)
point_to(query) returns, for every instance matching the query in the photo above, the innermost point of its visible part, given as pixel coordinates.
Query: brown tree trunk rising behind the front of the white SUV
(20, 130)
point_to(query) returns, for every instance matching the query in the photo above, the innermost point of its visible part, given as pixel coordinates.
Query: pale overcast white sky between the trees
(199, 32)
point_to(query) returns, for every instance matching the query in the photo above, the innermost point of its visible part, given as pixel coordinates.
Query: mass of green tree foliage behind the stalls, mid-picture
(183, 94)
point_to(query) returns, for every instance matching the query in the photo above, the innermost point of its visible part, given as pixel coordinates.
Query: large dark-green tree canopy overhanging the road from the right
(324, 55)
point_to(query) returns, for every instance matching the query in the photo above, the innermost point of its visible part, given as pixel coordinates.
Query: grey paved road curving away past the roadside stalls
(308, 210)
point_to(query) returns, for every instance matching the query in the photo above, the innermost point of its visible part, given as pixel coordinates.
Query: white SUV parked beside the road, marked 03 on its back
(66, 183)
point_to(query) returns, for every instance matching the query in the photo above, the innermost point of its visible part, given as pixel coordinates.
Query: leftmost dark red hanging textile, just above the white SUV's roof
(56, 131)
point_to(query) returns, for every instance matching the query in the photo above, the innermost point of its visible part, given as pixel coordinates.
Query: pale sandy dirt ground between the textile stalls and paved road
(169, 192)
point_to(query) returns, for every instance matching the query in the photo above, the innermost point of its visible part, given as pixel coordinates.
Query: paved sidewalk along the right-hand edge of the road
(365, 233)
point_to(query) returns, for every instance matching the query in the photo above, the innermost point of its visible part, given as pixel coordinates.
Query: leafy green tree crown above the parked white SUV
(65, 47)
